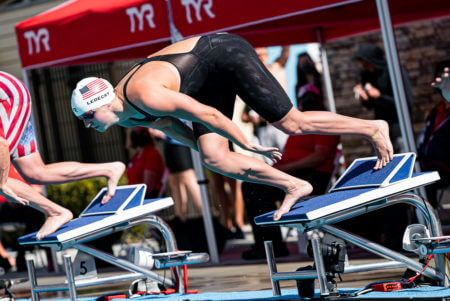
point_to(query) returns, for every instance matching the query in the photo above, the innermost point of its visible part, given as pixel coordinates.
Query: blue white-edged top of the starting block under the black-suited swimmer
(358, 186)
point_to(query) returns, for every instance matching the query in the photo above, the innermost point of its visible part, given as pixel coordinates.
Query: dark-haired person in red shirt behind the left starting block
(147, 165)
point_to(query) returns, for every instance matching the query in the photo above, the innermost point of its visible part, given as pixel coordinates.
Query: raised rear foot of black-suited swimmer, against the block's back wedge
(382, 143)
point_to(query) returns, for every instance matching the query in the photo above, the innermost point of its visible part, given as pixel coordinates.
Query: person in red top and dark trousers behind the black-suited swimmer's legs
(309, 157)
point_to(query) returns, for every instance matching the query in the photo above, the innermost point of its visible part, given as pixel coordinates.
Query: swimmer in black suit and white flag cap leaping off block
(197, 79)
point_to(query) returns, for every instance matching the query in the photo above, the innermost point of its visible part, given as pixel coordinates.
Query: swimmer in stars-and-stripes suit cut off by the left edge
(18, 146)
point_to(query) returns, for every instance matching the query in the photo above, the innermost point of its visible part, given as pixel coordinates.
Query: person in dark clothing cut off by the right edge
(434, 145)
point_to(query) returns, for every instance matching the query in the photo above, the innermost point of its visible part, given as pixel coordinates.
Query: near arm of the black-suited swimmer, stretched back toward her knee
(182, 106)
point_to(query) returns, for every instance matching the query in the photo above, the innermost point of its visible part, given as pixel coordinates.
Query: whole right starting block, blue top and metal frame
(358, 191)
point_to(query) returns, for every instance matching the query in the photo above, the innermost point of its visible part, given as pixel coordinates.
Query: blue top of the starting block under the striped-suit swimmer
(128, 203)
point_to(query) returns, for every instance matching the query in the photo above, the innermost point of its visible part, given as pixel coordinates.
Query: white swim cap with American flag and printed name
(90, 94)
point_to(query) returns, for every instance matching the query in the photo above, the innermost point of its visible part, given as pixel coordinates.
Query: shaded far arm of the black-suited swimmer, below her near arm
(177, 130)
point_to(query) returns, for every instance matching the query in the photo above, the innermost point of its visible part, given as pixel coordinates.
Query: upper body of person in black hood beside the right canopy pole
(375, 90)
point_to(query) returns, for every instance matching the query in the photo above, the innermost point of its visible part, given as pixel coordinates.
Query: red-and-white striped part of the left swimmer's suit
(15, 109)
